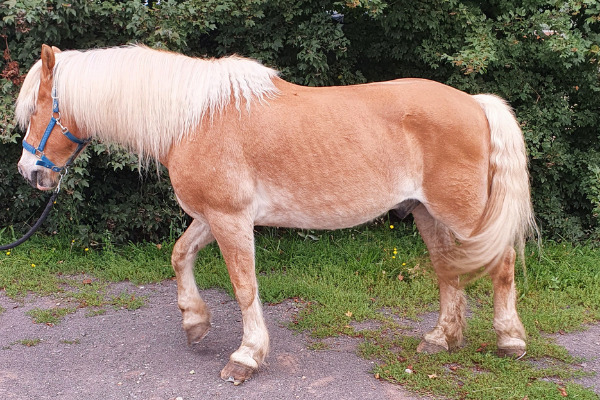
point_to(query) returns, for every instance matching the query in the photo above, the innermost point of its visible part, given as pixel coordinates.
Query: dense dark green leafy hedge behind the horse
(543, 56)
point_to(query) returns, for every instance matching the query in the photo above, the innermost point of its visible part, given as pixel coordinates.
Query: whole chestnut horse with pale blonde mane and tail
(244, 147)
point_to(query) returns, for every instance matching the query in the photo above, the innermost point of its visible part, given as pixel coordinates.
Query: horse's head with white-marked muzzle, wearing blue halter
(52, 139)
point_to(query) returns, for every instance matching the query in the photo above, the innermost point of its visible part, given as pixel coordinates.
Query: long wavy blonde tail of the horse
(507, 219)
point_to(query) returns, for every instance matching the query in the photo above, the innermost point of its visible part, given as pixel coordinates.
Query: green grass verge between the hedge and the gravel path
(373, 273)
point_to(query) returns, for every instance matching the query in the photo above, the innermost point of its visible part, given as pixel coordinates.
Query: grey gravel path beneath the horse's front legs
(143, 354)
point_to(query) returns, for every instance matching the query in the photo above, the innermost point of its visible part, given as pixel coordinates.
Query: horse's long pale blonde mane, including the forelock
(146, 99)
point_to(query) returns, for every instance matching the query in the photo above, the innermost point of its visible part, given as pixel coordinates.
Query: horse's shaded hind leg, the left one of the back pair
(448, 332)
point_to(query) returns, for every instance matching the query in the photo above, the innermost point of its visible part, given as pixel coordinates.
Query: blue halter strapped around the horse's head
(39, 151)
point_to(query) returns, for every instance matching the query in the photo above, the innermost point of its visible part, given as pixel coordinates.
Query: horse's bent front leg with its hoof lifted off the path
(196, 317)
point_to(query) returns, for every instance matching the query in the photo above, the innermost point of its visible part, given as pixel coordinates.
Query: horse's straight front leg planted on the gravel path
(235, 236)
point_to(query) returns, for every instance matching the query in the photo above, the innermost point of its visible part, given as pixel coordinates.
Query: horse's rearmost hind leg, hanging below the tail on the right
(509, 329)
